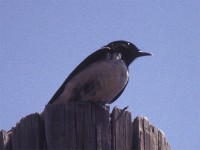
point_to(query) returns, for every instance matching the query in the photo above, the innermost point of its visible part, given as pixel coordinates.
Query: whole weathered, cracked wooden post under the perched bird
(83, 125)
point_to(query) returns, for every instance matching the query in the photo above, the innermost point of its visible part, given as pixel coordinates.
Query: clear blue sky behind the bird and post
(41, 42)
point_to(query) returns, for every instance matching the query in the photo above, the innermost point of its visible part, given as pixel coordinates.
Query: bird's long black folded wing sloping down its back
(94, 57)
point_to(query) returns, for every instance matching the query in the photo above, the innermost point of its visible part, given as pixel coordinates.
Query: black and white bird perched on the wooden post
(101, 77)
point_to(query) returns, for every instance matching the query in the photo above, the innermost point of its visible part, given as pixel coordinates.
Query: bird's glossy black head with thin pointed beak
(128, 50)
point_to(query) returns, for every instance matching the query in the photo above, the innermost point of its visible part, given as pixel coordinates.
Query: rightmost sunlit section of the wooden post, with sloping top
(148, 137)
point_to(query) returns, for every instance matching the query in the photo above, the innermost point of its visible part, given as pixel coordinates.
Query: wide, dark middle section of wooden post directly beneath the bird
(77, 125)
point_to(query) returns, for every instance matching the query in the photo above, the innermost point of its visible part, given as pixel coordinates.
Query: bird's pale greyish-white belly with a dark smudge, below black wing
(99, 82)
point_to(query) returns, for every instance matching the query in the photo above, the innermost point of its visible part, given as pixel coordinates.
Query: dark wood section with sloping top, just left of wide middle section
(28, 134)
